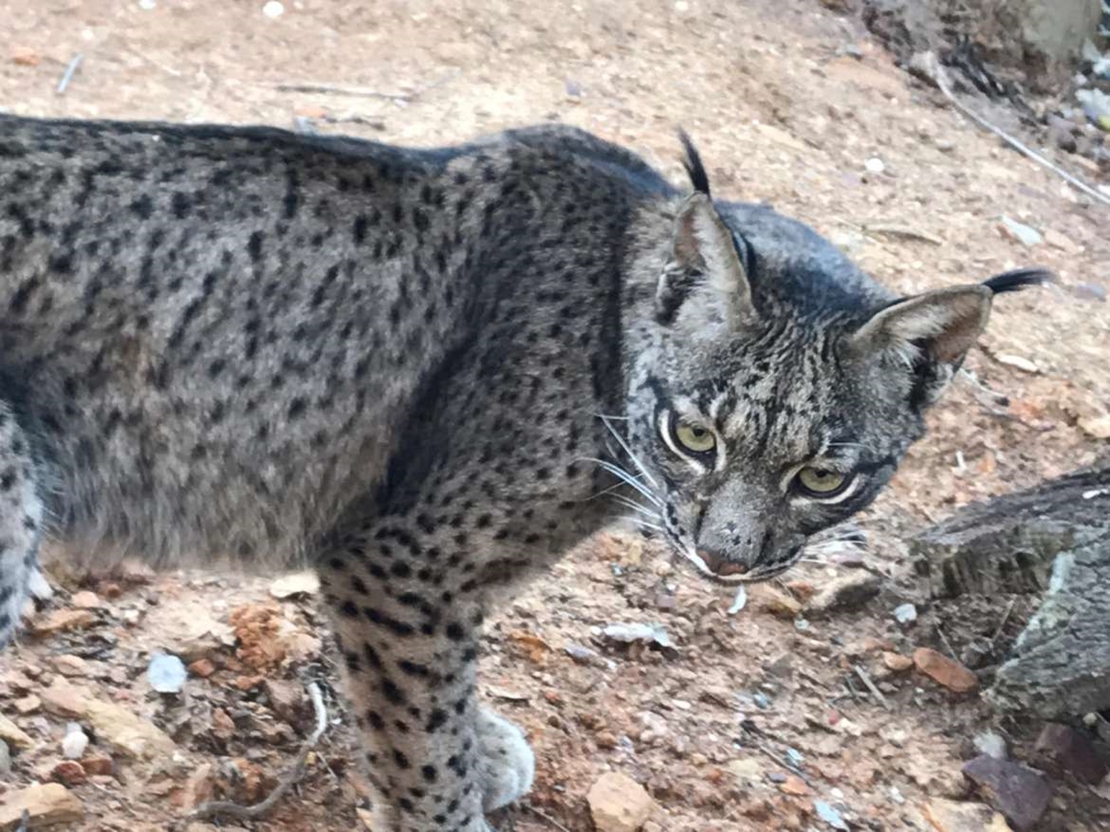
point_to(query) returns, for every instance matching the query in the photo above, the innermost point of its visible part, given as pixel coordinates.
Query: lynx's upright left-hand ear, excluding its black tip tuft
(704, 287)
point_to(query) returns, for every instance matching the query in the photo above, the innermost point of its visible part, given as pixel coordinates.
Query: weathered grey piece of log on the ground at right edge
(1053, 542)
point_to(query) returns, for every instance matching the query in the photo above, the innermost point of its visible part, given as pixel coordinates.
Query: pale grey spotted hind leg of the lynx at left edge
(21, 521)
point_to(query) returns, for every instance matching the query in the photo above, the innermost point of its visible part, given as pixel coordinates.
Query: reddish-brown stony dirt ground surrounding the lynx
(751, 723)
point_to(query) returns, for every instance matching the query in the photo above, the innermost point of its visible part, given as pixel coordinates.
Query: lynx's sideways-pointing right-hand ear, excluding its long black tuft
(930, 336)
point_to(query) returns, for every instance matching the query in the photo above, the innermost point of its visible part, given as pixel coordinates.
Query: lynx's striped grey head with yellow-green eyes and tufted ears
(780, 388)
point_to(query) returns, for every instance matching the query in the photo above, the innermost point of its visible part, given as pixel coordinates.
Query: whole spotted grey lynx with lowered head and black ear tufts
(418, 371)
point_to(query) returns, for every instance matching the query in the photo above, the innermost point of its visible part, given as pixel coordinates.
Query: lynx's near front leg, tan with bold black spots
(411, 652)
